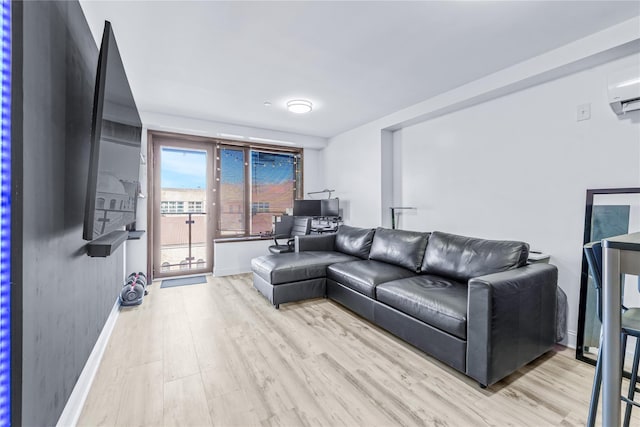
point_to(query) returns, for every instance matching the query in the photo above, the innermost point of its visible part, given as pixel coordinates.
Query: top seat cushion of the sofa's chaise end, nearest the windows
(296, 266)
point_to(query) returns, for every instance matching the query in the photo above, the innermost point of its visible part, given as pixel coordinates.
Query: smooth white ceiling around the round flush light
(356, 61)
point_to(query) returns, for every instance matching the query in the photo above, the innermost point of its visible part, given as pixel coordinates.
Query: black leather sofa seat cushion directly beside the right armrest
(439, 302)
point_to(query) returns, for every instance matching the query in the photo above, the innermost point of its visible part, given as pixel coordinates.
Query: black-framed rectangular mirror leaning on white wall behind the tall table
(608, 213)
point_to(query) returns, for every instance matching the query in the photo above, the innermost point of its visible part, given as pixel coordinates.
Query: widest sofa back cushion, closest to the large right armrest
(462, 258)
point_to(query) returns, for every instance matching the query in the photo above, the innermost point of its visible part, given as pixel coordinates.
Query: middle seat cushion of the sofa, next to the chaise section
(364, 276)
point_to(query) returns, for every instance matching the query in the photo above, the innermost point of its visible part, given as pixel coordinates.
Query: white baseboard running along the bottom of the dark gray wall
(73, 408)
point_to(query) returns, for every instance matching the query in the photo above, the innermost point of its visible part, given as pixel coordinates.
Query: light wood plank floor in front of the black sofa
(220, 354)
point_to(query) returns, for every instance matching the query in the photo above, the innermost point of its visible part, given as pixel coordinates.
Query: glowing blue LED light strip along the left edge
(5, 215)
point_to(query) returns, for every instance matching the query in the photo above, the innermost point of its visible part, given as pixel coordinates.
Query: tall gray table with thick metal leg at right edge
(621, 255)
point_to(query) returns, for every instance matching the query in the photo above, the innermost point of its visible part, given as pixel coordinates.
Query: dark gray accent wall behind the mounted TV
(66, 295)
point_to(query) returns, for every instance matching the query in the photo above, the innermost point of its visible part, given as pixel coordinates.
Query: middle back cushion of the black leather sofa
(399, 247)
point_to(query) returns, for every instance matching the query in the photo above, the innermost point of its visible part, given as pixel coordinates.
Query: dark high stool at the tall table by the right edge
(630, 325)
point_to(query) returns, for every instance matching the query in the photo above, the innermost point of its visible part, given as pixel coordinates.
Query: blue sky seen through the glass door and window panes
(182, 168)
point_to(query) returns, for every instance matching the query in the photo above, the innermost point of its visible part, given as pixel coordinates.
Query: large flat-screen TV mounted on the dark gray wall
(116, 131)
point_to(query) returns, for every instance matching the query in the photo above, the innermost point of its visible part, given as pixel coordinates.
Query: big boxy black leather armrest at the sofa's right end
(511, 320)
